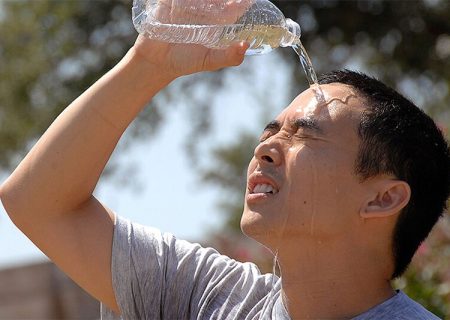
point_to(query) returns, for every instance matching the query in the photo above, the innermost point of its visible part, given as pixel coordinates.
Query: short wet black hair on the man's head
(398, 138)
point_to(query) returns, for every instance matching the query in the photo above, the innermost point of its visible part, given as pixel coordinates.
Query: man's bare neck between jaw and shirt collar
(330, 281)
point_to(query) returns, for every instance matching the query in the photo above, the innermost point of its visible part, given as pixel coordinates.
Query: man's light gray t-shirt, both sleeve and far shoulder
(156, 276)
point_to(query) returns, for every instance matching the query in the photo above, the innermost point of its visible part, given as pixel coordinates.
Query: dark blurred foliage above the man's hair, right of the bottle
(404, 43)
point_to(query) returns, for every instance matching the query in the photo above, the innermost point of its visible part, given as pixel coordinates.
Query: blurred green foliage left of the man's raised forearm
(50, 52)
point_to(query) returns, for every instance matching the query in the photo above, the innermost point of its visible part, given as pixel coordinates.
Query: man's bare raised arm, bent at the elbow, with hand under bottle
(49, 196)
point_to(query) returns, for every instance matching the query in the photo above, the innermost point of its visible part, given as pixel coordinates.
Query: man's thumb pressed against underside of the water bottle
(231, 56)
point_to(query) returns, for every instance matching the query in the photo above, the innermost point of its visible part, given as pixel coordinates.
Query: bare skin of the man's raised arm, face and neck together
(323, 260)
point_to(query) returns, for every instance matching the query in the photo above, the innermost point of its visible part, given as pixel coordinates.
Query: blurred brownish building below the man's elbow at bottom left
(42, 291)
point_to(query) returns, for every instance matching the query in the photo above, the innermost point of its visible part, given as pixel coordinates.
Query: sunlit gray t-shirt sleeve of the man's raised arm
(156, 276)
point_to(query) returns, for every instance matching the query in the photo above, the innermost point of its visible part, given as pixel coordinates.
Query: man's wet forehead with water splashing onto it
(342, 107)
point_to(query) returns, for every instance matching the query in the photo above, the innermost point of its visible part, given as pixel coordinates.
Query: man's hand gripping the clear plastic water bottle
(174, 60)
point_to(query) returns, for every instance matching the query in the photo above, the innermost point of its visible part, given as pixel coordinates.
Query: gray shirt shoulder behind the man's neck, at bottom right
(399, 307)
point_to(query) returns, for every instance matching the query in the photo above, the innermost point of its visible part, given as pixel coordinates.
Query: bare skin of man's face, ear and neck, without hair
(330, 230)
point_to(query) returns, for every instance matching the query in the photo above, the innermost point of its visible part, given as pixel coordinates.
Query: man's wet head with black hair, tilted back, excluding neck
(367, 165)
